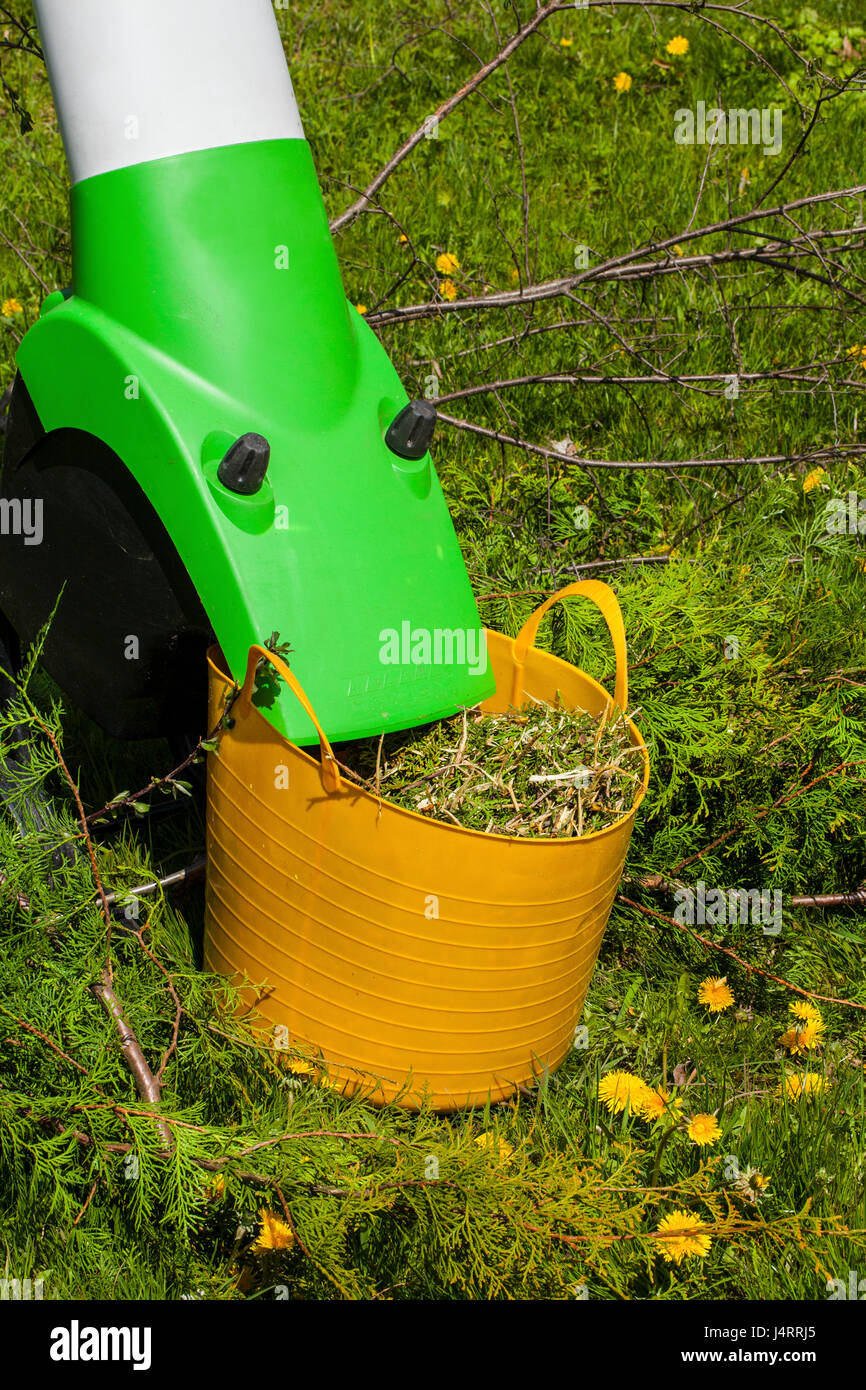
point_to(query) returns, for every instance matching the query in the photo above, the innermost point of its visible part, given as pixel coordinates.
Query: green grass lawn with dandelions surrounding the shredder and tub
(749, 672)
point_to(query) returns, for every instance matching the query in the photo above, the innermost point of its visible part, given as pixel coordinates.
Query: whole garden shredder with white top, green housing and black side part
(209, 440)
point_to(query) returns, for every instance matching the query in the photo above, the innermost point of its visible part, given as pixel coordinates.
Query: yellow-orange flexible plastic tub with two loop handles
(415, 958)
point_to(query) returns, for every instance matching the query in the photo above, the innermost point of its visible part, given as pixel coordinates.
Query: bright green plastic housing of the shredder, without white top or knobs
(206, 304)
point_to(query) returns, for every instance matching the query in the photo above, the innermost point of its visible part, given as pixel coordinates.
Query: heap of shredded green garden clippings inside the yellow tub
(539, 772)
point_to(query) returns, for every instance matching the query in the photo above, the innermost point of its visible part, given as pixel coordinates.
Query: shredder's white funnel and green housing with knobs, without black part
(208, 343)
